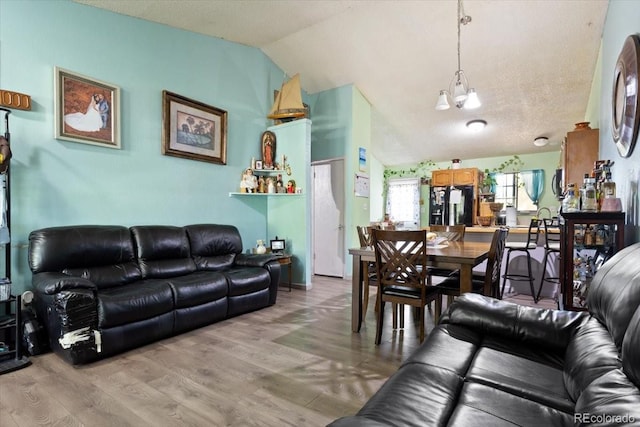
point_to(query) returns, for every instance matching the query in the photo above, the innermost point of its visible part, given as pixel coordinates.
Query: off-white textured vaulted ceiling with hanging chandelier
(531, 62)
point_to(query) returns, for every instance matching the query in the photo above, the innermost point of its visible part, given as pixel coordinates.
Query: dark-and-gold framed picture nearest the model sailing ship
(193, 130)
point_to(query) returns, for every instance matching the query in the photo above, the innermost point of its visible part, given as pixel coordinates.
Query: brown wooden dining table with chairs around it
(456, 255)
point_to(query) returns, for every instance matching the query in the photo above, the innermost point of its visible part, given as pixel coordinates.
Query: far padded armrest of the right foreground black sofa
(550, 328)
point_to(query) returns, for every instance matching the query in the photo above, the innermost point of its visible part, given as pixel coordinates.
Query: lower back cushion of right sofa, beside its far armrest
(590, 354)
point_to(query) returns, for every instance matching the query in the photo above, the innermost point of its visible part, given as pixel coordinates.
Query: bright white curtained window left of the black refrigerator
(403, 200)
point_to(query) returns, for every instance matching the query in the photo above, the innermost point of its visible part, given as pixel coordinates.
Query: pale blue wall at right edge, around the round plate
(623, 19)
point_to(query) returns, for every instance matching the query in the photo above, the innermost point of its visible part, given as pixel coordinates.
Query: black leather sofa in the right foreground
(493, 363)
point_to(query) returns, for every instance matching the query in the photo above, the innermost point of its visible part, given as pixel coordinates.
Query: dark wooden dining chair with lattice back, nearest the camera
(401, 271)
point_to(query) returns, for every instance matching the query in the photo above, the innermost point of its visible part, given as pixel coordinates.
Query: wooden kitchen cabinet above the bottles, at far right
(579, 153)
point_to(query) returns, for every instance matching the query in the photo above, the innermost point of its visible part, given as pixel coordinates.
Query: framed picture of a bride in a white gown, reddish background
(86, 110)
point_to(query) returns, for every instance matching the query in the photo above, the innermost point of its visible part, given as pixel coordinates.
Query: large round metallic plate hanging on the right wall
(625, 111)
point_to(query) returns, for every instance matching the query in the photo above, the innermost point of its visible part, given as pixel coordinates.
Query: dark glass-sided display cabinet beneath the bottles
(589, 239)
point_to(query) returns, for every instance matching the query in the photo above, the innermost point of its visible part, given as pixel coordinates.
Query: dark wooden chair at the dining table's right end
(451, 285)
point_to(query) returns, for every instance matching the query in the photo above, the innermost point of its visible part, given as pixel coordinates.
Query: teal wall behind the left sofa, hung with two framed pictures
(60, 183)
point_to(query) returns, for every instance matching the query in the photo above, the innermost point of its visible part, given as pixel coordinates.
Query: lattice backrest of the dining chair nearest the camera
(401, 257)
